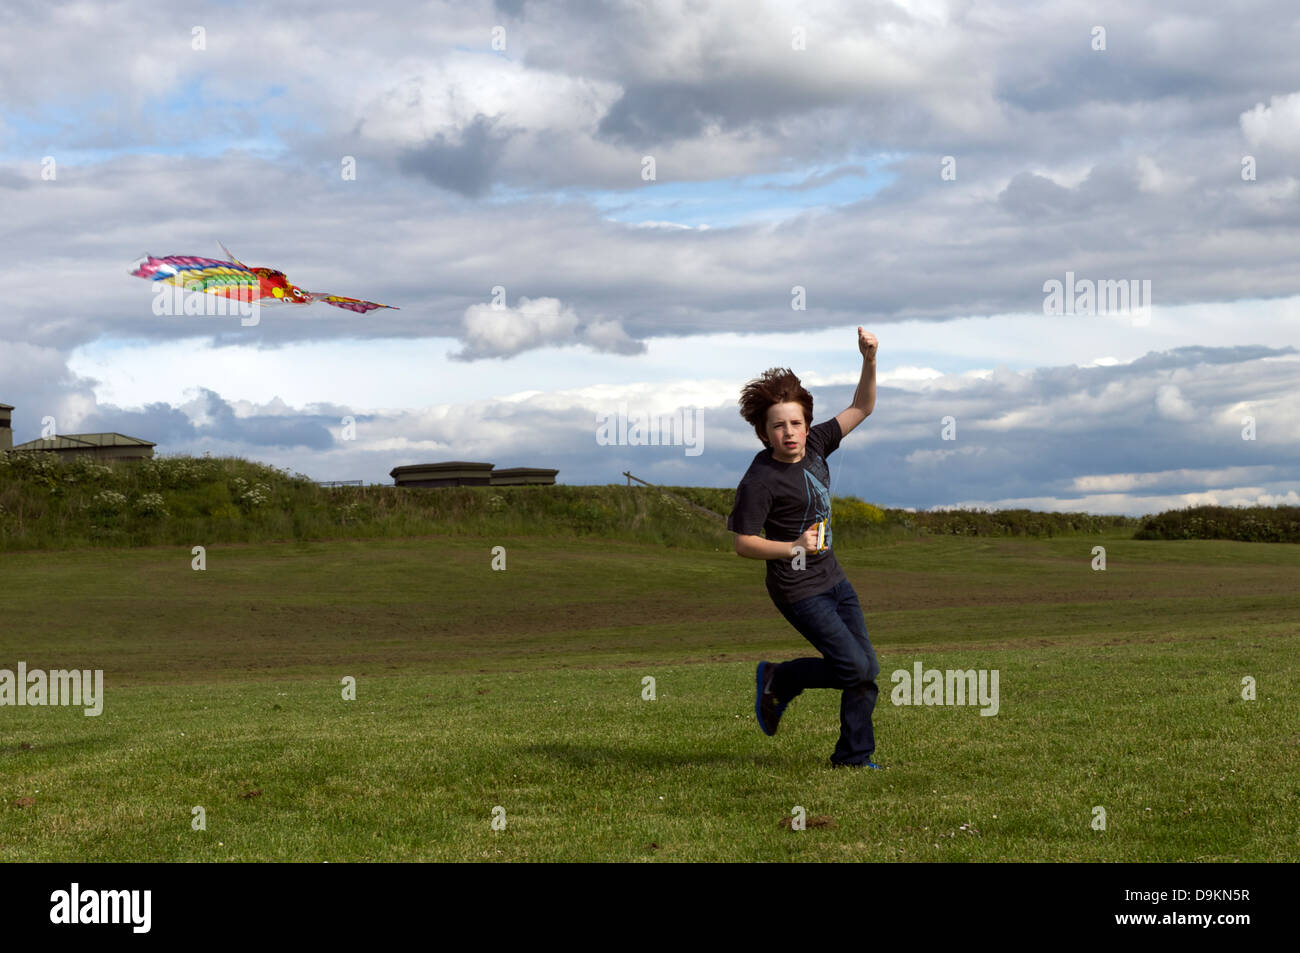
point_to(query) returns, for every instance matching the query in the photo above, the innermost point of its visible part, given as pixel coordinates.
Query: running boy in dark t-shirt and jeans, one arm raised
(787, 492)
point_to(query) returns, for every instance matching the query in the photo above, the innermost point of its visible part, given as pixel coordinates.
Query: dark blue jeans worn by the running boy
(833, 622)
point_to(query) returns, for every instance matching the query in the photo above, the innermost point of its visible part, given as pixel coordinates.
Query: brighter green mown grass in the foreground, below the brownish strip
(586, 769)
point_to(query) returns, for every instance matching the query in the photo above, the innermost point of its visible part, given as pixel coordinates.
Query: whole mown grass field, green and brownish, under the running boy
(523, 691)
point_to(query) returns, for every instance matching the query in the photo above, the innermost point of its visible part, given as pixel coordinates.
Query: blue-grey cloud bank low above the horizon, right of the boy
(1076, 423)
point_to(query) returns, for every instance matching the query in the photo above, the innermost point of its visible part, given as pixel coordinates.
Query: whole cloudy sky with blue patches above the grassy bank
(583, 210)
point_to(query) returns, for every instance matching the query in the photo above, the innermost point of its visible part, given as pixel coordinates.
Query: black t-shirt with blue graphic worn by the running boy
(785, 500)
